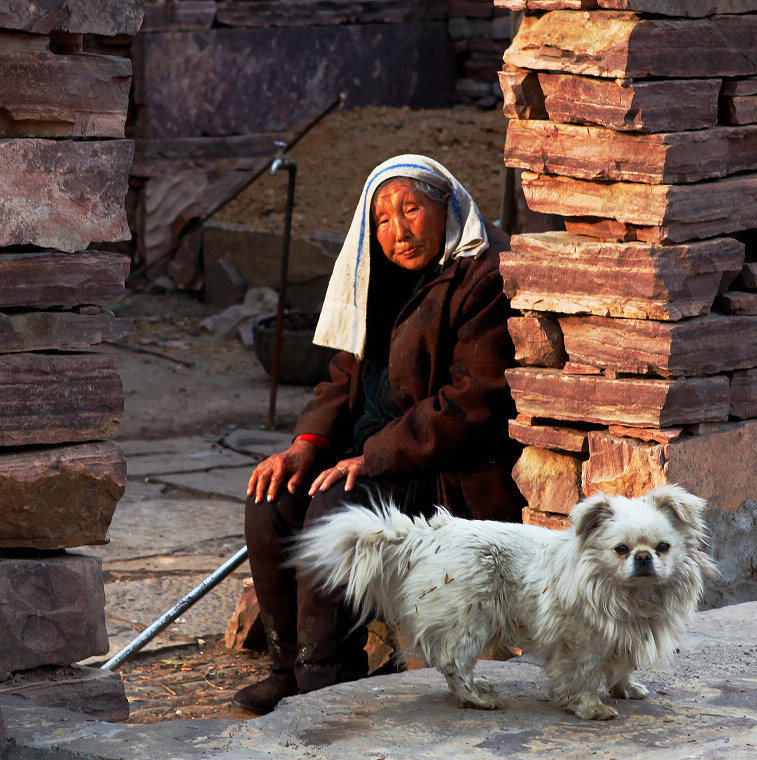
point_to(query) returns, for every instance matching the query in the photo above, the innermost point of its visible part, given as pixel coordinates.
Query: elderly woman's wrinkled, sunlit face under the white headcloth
(409, 226)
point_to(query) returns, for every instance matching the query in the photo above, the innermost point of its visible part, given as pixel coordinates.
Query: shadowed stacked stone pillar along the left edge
(64, 167)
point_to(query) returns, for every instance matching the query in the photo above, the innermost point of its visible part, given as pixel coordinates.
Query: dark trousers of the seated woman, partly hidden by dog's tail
(309, 632)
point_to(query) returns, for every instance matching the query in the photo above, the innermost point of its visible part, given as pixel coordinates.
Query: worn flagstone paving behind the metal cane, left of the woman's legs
(181, 517)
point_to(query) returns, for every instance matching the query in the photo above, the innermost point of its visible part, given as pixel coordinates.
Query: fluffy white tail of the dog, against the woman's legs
(365, 552)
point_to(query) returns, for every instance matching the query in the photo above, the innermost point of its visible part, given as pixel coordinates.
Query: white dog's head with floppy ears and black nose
(642, 540)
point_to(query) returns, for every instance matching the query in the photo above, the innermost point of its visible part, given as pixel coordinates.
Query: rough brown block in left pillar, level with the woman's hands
(62, 497)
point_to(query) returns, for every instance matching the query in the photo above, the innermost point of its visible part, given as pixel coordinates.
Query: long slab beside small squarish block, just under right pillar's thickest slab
(702, 346)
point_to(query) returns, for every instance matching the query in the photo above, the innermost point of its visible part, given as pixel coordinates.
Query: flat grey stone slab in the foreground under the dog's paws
(703, 706)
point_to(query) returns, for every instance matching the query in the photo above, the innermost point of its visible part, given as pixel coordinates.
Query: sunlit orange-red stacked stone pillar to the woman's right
(634, 120)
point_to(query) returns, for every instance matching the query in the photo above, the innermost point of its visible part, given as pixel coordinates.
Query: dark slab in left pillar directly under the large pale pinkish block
(53, 279)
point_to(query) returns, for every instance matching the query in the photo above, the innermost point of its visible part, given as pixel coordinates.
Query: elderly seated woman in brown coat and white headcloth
(417, 405)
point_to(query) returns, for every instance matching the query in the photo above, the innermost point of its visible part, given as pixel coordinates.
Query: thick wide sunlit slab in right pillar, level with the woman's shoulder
(560, 272)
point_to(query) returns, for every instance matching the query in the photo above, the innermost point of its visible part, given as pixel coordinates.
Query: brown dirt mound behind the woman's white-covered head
(335, 157)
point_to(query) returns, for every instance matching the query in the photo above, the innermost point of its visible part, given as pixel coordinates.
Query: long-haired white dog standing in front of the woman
(600, 599)
